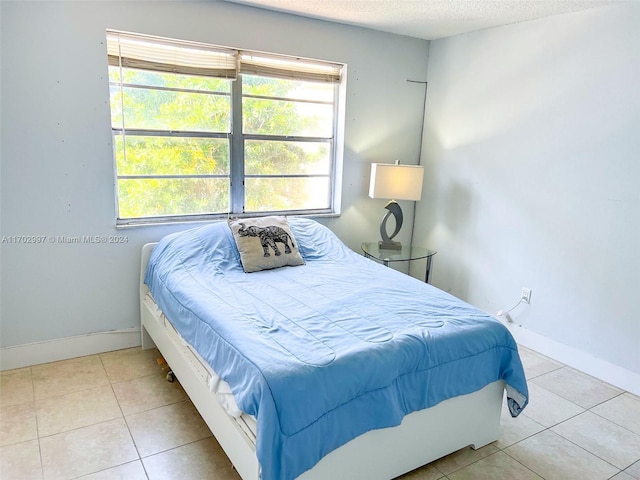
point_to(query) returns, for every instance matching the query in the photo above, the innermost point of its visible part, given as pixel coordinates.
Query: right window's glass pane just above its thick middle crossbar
(285, 117)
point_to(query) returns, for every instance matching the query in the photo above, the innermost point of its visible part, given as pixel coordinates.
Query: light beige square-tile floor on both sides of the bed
(114, 416)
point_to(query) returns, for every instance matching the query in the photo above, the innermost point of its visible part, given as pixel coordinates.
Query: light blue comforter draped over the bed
(324, 352)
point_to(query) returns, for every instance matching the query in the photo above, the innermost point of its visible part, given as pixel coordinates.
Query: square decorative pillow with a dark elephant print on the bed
(265, 243)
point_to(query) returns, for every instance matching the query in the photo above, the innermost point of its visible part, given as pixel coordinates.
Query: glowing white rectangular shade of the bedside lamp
(396, 182)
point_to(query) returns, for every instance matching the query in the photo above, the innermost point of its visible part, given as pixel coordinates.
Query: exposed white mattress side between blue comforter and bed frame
(217, 386)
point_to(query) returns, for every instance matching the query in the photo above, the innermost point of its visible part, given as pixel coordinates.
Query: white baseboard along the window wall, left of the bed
(70, 347)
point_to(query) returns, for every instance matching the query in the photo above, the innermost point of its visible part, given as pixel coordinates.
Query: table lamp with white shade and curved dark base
(394, 182)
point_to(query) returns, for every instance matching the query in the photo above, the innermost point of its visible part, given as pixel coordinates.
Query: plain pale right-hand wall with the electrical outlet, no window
(532, 155)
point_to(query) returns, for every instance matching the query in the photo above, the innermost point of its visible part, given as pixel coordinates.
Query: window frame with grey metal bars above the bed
(237, 139)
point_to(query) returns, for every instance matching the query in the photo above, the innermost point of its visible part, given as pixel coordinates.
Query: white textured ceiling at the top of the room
(427, 19)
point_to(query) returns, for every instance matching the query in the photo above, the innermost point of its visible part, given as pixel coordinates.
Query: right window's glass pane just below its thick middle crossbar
(268, 157)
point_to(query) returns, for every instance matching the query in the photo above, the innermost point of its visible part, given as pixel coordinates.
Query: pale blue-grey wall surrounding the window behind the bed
(57, 173)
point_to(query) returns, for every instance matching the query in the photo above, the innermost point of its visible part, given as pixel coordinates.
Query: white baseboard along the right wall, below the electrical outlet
(578, 359)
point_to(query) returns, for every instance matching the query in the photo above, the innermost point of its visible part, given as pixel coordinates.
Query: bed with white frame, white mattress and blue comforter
(336, 368)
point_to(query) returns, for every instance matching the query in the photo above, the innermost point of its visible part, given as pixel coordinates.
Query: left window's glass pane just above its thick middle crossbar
(167, 110)
